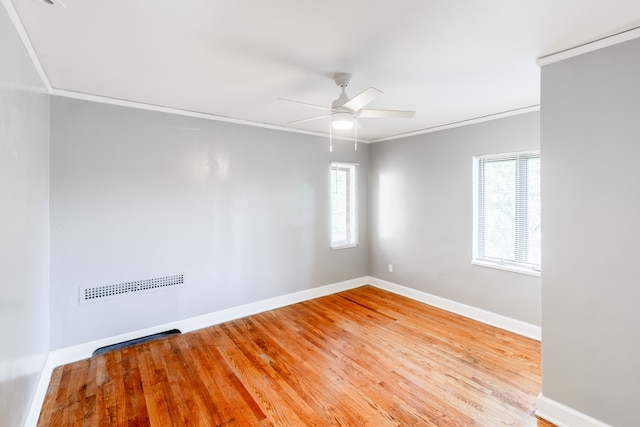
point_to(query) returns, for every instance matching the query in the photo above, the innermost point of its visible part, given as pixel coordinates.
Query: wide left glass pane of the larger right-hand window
(500, 209)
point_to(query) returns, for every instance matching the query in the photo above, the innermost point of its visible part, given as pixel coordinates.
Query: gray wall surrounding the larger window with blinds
(420, 210)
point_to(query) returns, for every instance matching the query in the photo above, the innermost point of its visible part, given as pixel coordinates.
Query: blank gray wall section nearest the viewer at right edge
(590, 120)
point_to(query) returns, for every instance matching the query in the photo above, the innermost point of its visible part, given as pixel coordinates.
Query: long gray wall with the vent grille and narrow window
(242, 211)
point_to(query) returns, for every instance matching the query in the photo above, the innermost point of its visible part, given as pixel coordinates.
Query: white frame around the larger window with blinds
(521, 235)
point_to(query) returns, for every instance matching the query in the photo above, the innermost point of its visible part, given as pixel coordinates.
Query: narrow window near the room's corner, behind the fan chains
(343, 205)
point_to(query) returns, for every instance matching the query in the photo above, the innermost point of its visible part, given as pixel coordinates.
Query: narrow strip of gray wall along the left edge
(24, 226)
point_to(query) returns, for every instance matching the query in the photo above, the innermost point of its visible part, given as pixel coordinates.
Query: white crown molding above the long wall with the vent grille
(170, 110)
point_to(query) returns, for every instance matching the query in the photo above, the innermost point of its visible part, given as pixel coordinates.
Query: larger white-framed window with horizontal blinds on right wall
(507, 229)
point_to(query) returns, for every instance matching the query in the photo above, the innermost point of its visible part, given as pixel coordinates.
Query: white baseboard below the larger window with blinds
(503, 322)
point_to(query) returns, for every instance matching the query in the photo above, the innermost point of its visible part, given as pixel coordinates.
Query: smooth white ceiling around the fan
(448, 60)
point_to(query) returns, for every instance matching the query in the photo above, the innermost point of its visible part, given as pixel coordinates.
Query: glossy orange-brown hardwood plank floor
(359, 357)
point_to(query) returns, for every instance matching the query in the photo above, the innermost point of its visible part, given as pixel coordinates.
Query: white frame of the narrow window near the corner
(351, 209)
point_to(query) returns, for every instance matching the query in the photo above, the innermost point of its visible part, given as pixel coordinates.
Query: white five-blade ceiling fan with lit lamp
(344, 111)
